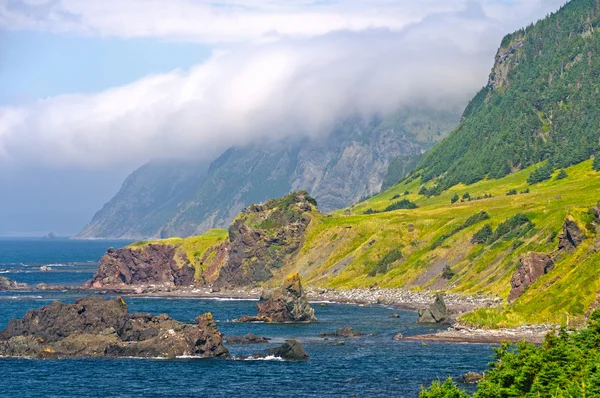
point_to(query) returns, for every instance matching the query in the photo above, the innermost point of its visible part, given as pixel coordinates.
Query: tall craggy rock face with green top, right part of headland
(262, 236)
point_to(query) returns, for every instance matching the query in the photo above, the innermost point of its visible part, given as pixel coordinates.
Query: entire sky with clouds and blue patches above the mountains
(92, 89)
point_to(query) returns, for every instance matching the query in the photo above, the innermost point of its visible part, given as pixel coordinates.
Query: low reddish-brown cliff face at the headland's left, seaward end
(150, 264)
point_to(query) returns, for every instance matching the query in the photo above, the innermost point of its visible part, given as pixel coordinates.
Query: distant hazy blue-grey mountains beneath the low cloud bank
(183, 198)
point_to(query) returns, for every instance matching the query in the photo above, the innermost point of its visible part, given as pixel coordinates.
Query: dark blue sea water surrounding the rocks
(369, 366)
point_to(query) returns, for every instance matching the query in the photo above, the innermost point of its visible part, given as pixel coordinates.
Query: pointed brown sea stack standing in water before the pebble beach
(286, 304)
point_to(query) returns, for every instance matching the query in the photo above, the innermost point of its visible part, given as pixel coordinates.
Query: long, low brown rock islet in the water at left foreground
(95, 327)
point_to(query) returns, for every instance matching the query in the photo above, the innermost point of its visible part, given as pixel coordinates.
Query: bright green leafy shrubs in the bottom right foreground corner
(565, 365)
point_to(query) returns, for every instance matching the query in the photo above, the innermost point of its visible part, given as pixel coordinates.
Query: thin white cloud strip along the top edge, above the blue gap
(219, 21)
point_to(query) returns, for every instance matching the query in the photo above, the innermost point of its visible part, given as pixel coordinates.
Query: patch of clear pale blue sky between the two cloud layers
(37, 64)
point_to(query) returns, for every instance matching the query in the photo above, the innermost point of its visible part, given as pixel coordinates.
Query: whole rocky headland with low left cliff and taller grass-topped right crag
(259, 242)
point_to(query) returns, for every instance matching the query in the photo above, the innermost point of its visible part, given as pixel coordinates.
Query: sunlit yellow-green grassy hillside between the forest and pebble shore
(430, 247)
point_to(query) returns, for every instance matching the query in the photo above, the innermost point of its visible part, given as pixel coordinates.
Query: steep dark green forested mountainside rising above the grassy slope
(540, 103)
